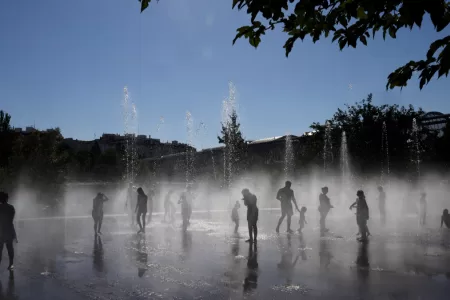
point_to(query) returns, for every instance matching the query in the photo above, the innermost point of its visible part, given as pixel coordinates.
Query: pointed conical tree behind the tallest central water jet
(235, 145)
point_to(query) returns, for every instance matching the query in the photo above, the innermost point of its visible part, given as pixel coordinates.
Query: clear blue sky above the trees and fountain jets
(65, 63)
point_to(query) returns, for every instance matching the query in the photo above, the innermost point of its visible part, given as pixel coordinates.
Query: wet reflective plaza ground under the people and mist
(61, 259)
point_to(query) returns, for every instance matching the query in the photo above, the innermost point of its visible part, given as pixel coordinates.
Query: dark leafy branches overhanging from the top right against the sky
(350, 22)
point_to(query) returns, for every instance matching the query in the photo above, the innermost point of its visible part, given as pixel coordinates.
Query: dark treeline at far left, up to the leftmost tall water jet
(41, 160)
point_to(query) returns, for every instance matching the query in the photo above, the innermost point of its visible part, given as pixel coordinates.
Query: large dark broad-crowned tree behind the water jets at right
(363, 124)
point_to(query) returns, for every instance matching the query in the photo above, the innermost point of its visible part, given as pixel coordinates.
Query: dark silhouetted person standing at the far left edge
(7, 231)
